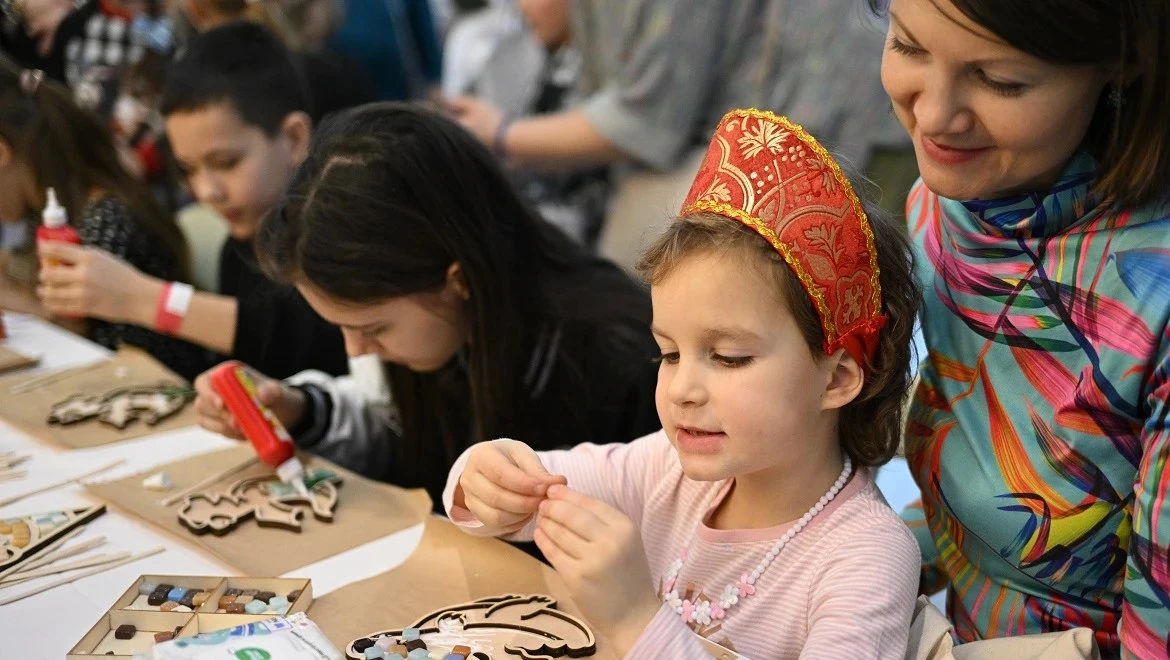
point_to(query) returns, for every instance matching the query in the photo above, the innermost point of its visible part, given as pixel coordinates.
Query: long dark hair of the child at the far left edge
(72, 152)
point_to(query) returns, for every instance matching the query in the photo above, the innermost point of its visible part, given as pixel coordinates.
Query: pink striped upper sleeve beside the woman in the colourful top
(863, 600)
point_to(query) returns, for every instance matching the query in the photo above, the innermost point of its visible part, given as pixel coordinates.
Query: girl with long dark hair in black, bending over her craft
(402, 230)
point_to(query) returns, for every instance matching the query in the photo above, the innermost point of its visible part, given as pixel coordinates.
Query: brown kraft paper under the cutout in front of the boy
(30, 411)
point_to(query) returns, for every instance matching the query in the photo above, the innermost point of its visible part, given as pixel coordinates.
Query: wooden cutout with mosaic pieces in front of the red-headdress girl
(528, 627)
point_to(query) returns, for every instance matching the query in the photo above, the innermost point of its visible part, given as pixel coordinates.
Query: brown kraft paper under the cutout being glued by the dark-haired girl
(366, 512)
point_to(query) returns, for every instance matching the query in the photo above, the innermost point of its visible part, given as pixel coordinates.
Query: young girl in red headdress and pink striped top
(784, 319)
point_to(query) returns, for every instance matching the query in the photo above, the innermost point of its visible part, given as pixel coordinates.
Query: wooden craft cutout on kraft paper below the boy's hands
(121, 408)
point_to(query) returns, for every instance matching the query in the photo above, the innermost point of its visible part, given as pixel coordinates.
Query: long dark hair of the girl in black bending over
(393, 195)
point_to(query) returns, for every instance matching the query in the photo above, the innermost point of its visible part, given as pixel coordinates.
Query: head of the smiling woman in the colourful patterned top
(997, 107)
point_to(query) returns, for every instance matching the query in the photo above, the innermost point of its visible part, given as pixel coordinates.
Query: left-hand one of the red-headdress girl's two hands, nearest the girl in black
(504, 484)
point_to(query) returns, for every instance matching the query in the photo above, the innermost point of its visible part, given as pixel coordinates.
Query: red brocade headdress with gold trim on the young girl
(769, 174)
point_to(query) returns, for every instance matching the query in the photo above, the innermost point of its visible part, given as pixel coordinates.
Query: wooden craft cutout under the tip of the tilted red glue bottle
(265, 499)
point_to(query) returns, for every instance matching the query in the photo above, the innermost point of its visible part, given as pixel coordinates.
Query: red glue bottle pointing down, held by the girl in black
(269, 437)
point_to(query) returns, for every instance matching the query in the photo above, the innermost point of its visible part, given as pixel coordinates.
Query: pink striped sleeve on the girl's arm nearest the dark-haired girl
(618, 475)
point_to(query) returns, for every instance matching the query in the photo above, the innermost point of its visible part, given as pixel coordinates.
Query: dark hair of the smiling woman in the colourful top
(1131, 142)
